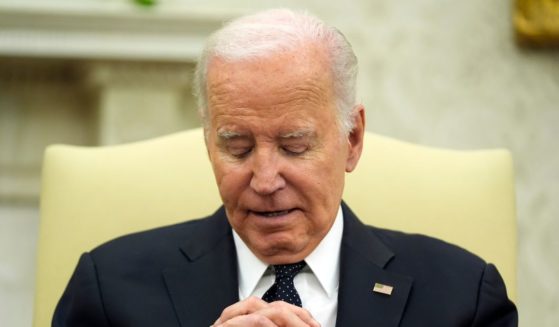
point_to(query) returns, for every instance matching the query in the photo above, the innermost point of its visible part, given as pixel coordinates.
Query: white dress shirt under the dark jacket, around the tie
(317, 284)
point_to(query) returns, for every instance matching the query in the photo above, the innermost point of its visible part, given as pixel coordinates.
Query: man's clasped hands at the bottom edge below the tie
(257, 313)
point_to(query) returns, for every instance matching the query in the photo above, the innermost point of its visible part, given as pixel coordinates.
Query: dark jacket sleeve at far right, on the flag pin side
(494, 309)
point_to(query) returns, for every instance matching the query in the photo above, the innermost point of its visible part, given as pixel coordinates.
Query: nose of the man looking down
(266, 175)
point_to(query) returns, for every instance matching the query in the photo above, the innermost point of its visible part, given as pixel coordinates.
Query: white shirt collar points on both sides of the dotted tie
(323, 261)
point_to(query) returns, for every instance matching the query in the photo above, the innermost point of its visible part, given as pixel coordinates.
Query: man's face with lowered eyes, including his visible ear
(277, 152)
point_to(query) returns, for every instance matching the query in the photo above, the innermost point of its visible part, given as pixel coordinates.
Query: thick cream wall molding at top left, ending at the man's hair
(106, 34)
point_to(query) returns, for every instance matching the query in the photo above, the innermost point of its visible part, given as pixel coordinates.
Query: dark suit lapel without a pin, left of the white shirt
(207, 282)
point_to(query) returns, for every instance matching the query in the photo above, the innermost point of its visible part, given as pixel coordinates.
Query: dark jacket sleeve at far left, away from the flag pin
(82, 303)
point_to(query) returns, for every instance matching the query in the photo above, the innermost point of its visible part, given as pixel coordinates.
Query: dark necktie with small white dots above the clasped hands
(283, 288)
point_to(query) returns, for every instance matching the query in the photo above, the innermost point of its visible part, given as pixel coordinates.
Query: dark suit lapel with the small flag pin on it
(363, 259)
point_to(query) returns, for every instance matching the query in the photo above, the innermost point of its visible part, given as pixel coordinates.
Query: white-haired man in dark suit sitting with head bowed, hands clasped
(277, 98)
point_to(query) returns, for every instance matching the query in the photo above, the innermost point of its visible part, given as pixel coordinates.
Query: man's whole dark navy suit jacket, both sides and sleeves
(186, 274)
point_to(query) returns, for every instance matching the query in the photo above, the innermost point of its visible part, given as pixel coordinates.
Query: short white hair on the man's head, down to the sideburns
(266, 33)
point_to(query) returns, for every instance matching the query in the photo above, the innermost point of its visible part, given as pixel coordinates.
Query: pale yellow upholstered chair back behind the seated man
(91, 195)
